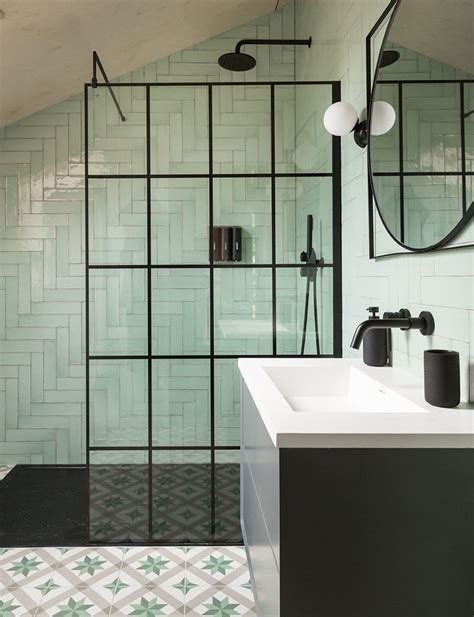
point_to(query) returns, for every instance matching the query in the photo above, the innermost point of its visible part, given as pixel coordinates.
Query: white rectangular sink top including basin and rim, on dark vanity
(341, 403)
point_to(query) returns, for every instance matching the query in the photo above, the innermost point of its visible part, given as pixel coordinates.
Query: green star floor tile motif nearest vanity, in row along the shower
(217, 566)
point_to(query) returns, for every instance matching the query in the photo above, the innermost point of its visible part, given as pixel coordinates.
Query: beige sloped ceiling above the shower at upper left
(46, 45)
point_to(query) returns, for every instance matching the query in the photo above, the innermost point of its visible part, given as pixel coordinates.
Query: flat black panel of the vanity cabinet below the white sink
(377, 533)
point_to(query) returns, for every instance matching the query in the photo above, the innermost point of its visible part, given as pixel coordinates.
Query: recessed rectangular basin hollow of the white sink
(346, 390)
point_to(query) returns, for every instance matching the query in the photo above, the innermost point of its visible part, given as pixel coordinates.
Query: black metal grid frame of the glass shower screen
(335, 174)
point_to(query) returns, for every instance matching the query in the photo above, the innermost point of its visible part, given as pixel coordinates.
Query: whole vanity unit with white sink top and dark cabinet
(357, 496)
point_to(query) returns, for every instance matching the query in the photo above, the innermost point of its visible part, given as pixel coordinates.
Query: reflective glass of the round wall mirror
(422, 168)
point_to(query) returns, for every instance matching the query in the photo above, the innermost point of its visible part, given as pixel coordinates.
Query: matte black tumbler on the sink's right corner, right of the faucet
(442, 384)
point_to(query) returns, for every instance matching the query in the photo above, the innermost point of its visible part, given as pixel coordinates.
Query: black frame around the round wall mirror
(370, 89)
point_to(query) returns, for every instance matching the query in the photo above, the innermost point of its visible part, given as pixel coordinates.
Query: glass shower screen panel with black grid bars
(165, 322)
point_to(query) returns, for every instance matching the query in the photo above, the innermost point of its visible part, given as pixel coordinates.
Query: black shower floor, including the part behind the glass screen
(120, 504)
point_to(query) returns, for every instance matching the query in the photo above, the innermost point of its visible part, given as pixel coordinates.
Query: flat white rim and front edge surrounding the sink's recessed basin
(437, 428)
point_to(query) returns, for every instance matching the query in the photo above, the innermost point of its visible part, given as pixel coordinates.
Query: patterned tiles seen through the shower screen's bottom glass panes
(181, 503)
